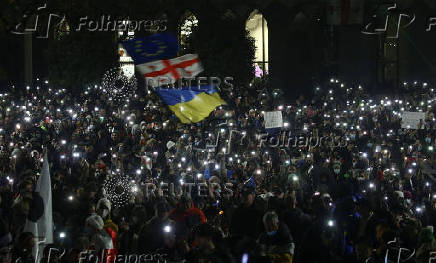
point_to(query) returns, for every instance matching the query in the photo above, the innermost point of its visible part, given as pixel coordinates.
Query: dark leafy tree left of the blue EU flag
(77, 58)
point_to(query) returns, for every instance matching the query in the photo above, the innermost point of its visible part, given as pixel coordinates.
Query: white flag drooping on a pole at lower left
(42, 228)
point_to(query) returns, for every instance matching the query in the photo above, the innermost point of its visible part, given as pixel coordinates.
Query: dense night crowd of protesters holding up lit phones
(364, 194)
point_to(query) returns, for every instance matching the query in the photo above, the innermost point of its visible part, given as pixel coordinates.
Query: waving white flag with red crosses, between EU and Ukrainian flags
(168, 71)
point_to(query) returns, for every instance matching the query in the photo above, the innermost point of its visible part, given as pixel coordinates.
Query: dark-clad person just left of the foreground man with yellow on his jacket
(246, 219)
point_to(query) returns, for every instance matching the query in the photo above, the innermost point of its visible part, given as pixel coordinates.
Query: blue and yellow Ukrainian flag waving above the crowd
(191, 104)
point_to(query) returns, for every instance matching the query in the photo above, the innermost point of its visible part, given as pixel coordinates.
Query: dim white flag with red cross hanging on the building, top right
(345, 12)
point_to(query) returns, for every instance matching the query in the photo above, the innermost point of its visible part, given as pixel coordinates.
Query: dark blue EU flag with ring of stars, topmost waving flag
(155, 47)
